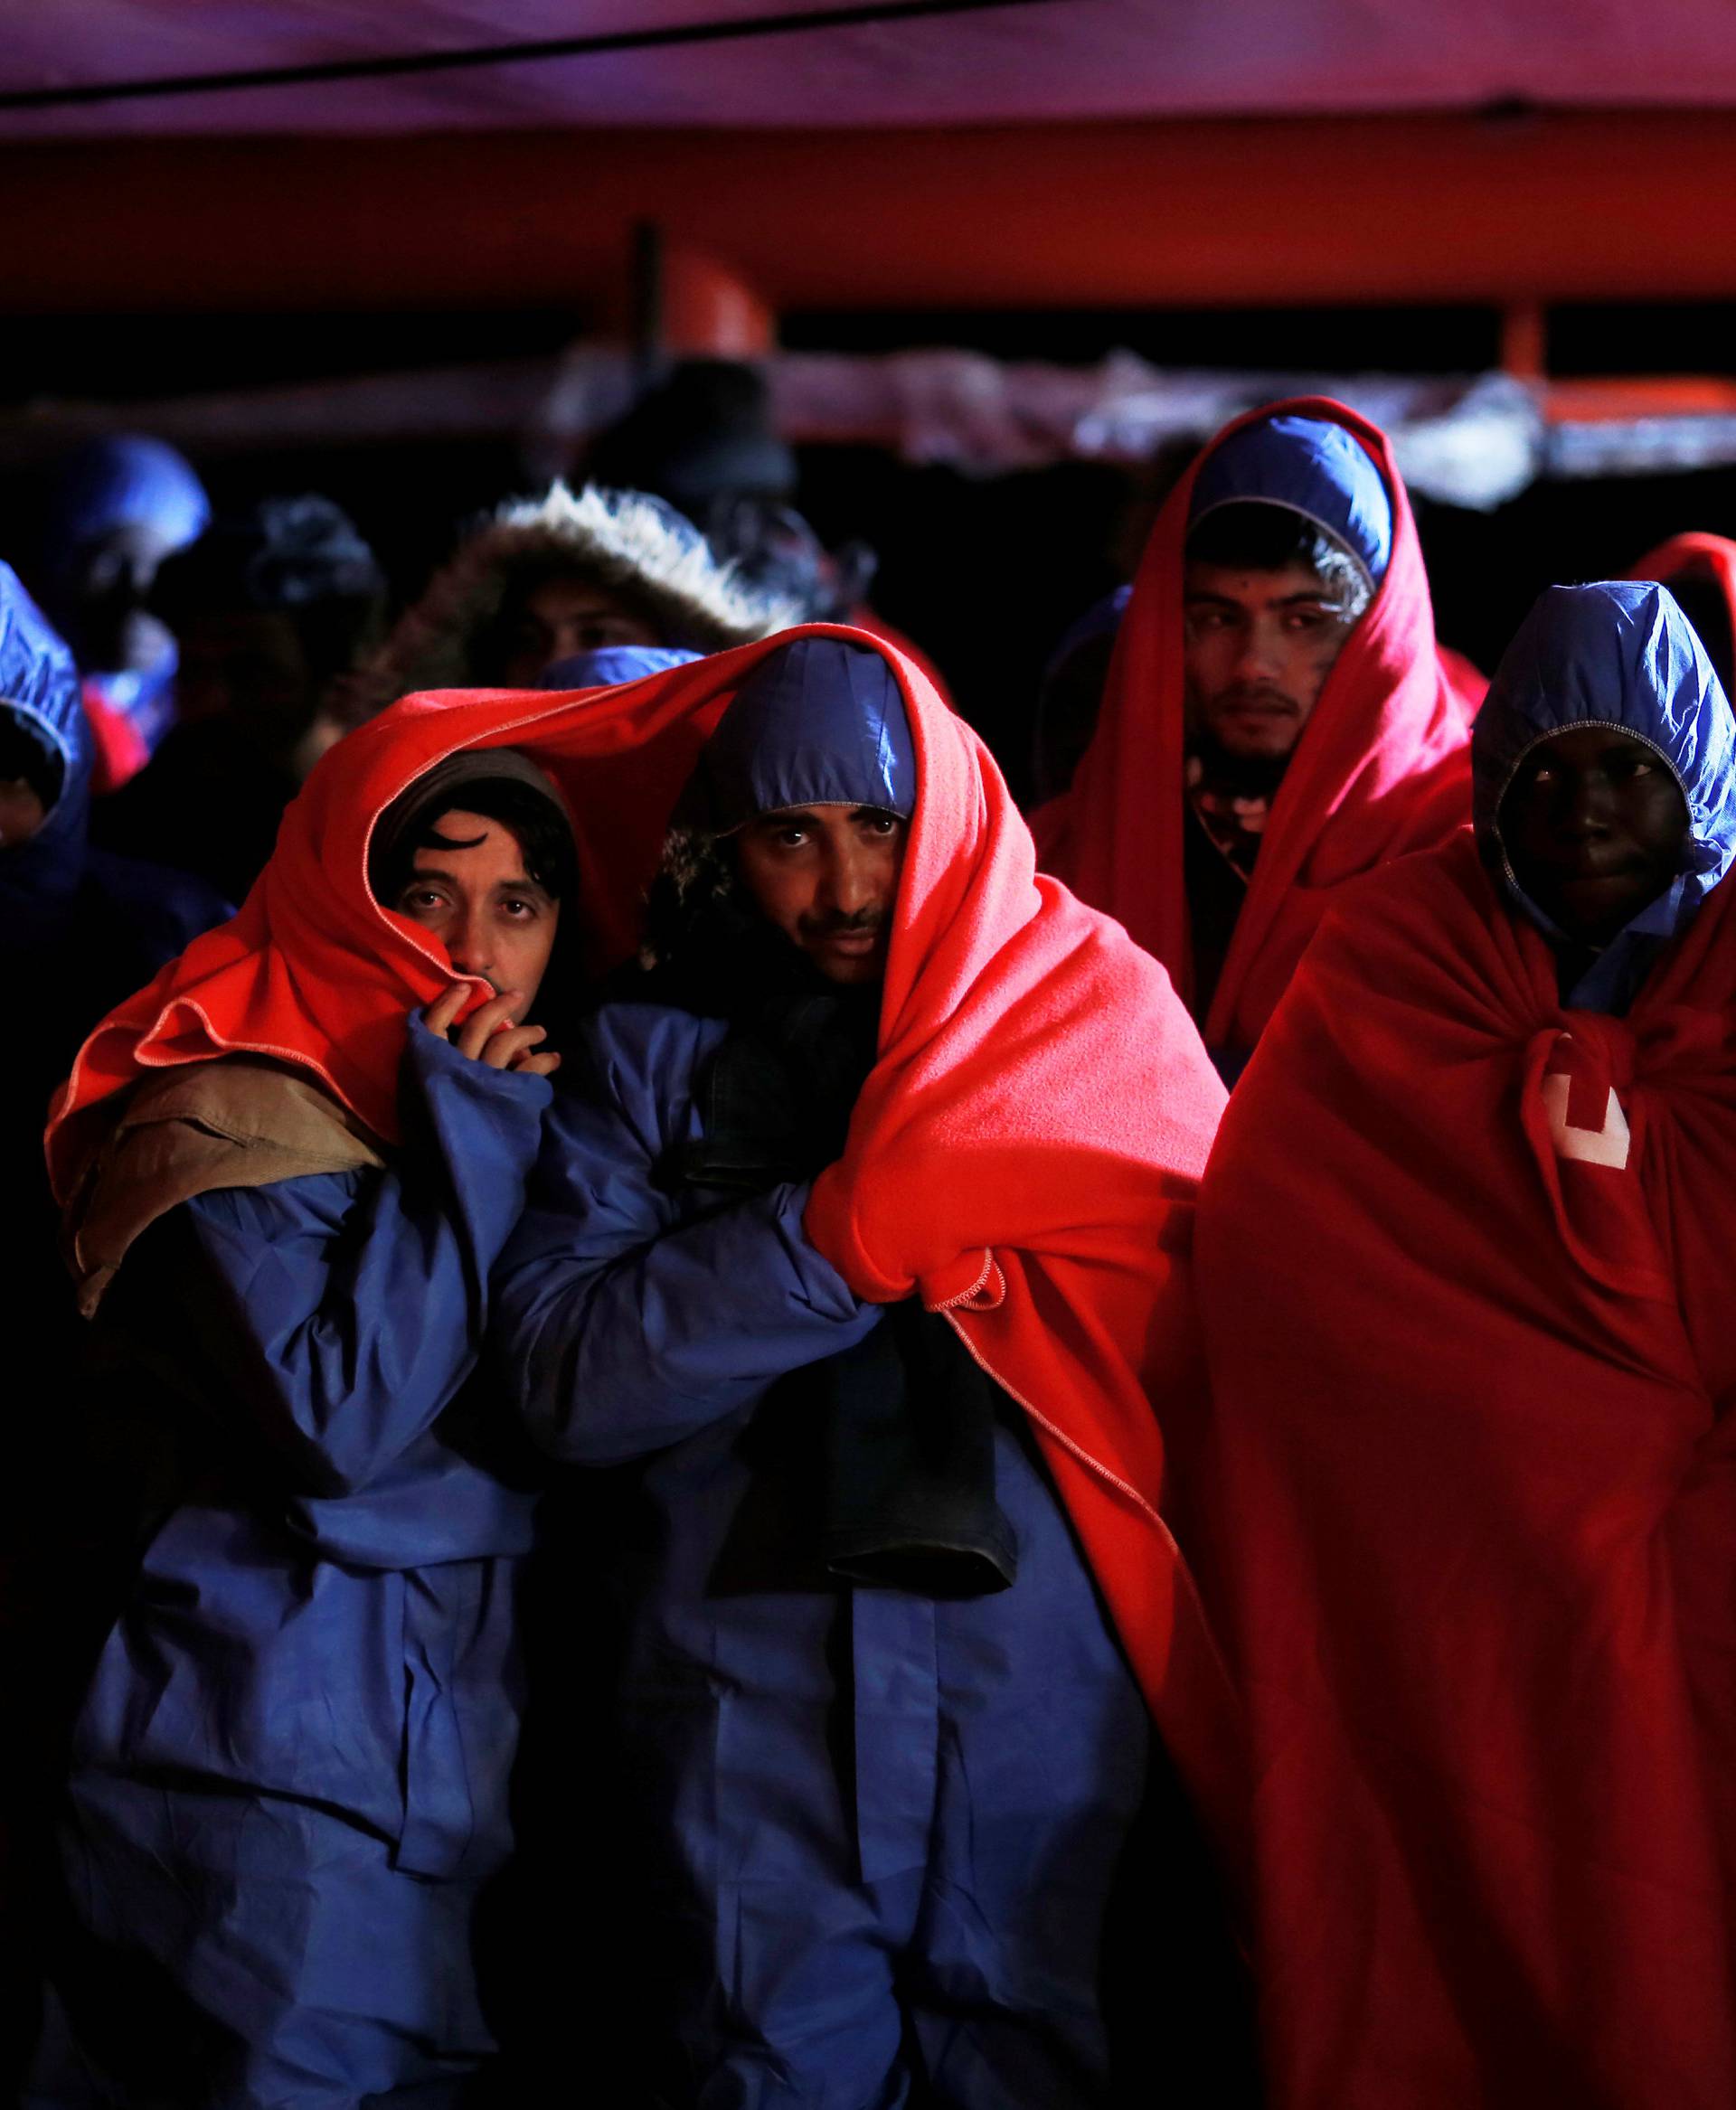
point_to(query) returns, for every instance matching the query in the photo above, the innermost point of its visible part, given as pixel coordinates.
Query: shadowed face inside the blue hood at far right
(1594, 828)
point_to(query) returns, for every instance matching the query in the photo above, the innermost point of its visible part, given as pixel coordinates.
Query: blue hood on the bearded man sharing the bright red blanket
(817, 725)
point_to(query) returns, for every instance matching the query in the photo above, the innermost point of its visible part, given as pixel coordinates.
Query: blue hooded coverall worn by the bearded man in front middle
(815, 1782)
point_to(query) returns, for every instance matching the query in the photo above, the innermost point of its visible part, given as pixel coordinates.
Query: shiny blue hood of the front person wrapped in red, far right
(1619, 655)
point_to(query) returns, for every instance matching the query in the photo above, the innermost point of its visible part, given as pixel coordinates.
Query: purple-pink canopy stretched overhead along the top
(980, 66)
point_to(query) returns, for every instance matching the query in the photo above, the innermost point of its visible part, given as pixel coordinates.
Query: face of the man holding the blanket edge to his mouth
(471, 889)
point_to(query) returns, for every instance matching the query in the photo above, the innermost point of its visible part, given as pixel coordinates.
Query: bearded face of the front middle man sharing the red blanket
(828, 877)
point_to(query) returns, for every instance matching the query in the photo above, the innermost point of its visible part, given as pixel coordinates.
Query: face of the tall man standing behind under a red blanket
(1258, 649)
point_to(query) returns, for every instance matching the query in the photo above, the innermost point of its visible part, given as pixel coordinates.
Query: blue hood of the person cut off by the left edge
(39, 687)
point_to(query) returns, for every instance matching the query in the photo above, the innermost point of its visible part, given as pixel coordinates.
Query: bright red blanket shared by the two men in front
(1024, 1155)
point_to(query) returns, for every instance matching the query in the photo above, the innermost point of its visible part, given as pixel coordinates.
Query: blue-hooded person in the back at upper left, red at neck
(119, 507)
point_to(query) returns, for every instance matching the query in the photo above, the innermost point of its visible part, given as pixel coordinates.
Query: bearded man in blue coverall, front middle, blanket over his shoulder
(855, 1273)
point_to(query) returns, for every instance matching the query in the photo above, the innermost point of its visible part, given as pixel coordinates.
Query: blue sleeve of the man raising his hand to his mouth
(347, 1309)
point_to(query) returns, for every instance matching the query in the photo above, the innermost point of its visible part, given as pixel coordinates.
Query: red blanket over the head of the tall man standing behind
(1378, 771)
